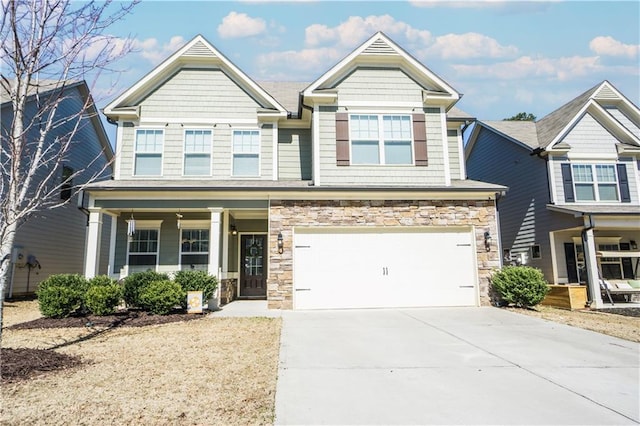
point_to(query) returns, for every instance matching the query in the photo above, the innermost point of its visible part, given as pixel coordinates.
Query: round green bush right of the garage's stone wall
(520, 285)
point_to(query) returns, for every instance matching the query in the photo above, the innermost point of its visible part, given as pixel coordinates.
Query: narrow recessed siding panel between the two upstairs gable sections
(294, 154)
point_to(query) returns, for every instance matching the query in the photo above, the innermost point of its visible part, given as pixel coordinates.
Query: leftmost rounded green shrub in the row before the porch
(61, 295)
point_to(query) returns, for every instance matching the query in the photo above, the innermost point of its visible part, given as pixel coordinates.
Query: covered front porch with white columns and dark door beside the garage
(226, 238)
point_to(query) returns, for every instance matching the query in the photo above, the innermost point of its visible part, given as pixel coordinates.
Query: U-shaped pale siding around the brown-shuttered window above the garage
(331, 174)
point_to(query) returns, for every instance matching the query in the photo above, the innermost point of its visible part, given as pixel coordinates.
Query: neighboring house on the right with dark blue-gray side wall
(574, 187)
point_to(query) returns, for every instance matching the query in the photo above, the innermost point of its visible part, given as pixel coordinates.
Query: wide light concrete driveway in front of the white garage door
(451, 366)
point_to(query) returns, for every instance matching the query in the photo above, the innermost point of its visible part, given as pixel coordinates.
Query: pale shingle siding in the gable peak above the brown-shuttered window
(375, 85)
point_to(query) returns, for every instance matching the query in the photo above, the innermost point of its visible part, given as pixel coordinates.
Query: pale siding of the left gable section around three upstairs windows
(192, 95)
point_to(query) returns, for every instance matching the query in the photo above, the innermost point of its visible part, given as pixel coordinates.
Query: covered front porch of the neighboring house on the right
(602, 252)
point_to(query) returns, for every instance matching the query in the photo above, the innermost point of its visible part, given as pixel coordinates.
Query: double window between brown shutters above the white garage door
(380, 139)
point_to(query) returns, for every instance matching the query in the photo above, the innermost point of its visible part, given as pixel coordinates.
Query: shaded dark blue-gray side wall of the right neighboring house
(524, 217)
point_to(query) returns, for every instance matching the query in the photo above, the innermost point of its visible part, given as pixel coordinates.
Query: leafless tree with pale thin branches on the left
(47, 47)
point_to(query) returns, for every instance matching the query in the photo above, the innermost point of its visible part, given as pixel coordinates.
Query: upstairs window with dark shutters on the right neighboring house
(595, 182)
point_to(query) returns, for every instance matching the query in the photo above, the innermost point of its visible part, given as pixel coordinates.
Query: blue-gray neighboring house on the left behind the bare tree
(52, 241)
